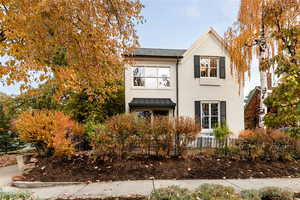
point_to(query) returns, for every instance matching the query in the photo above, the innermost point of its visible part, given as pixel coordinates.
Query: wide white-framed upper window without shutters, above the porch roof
(151, 77)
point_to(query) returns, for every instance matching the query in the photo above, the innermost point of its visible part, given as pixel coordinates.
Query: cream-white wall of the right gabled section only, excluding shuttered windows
(212, 89)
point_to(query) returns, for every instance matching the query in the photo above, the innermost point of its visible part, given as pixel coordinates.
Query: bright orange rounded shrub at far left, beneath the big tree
(49, 131)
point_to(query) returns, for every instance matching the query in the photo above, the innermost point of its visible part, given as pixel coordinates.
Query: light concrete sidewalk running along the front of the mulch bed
(121, 188)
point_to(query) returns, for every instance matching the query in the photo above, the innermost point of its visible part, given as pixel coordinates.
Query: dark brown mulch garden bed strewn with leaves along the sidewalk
(81, 169)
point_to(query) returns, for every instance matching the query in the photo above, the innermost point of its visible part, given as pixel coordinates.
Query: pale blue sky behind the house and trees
(178, 23)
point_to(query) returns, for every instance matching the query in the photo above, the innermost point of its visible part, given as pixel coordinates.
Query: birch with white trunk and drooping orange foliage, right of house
(253, 35)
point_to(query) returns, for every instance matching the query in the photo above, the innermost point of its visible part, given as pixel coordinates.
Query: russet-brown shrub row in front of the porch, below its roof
(127, 134)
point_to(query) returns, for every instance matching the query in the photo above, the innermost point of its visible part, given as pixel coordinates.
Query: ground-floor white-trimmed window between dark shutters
(210, 114)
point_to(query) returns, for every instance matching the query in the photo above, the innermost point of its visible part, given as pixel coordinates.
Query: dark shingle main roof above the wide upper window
(151, 52)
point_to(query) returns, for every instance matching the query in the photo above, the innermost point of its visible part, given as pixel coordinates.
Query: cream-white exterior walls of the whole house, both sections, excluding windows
(194, 89)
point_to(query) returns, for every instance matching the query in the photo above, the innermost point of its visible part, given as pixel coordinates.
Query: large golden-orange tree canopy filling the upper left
(76, 43)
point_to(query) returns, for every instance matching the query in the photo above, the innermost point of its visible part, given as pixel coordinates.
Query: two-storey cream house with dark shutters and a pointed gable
(195, 82)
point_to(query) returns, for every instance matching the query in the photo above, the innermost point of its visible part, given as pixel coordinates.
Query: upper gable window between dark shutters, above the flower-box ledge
(209, 66)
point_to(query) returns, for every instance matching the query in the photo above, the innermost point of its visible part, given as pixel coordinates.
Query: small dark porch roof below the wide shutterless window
(152, 102)
